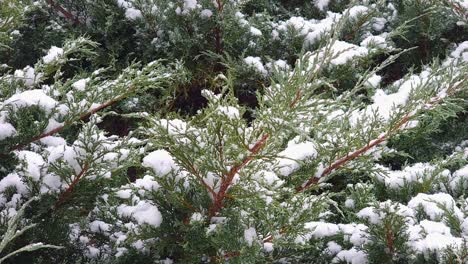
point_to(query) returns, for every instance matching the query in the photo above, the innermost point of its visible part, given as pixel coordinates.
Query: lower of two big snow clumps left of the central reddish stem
(143, 212)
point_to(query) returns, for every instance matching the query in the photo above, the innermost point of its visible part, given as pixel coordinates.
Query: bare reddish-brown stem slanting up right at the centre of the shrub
(226, 181)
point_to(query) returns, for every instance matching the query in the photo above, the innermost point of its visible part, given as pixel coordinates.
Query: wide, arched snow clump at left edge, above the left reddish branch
(32, 97)
